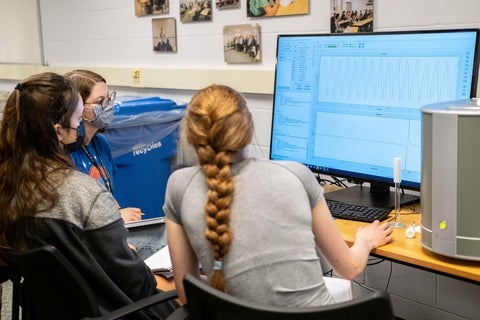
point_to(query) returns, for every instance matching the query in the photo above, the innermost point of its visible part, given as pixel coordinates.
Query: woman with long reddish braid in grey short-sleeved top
(256, 227)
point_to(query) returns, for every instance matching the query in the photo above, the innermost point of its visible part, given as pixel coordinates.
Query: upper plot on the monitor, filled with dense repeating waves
(387, 81)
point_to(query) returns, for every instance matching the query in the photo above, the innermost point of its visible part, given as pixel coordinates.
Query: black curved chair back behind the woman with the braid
(206, 303)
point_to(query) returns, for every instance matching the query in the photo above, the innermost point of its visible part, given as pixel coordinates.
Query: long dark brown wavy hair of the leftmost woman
(32, 164)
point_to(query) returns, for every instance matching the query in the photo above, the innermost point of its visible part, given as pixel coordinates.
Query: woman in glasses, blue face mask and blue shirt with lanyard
(94, 155)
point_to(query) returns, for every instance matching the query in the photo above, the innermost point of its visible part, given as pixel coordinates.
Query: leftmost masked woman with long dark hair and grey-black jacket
(43, 200)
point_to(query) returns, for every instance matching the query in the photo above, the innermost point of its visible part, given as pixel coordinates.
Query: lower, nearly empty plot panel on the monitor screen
(358, 139)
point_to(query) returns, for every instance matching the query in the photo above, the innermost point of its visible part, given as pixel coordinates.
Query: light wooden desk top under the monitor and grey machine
(410, 251)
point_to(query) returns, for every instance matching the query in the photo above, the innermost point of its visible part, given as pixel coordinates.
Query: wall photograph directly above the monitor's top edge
(351, 16)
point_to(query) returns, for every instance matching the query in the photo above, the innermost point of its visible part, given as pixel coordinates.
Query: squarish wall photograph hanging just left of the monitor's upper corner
(241, 43)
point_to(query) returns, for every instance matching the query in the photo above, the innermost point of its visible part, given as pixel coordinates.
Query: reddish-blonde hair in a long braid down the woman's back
(219, 126)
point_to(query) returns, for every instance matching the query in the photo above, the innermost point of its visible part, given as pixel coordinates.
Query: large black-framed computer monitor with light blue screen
(346, 105)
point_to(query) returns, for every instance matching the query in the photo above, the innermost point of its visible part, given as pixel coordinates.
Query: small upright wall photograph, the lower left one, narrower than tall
(164, 34)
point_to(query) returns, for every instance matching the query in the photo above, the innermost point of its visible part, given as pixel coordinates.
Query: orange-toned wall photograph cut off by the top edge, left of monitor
(273, 8)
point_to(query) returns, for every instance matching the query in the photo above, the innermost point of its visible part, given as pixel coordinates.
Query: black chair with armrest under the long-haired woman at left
(71, 296)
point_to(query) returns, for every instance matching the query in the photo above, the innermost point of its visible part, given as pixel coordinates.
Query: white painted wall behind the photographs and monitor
(107, 34)
